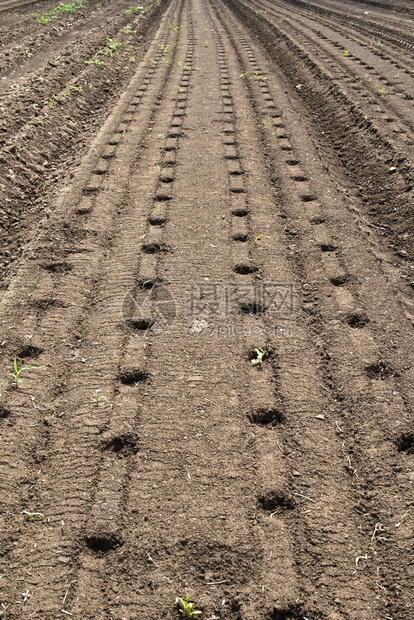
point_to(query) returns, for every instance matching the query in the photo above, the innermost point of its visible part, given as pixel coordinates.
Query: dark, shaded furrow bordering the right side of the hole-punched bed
(385, 195)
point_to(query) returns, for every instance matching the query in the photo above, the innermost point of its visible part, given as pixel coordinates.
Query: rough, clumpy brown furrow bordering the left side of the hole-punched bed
(34, 162)
